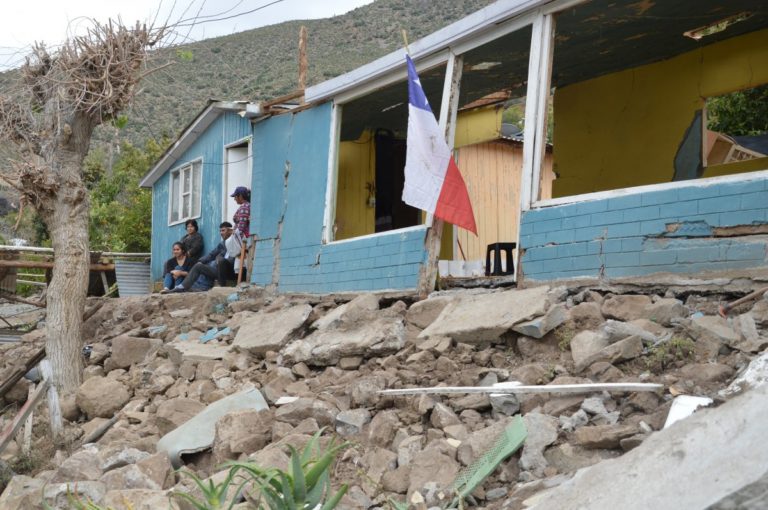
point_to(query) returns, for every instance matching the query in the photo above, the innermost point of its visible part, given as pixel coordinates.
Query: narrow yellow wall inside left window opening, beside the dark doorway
(356, 168)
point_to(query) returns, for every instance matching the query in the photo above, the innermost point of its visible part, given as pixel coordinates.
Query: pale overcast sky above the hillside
(26, 21)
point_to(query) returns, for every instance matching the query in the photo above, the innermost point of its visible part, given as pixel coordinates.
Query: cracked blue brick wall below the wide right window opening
(670, 230)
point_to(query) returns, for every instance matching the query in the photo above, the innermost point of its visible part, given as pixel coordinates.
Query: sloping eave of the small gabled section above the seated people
(200, 123)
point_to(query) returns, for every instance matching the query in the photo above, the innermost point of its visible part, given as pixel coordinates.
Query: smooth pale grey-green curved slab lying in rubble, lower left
(197, 434)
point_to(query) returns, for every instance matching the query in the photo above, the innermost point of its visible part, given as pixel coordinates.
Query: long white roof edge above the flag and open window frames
(467, 28)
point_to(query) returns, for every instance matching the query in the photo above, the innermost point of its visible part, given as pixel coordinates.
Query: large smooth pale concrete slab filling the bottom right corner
(708, 462)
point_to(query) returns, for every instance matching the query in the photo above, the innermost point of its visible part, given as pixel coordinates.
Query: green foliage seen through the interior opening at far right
(742, 113)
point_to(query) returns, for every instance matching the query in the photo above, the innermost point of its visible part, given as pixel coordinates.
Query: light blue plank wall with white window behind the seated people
(209, 146)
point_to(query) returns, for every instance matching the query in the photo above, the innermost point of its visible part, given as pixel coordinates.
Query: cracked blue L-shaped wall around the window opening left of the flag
(289, 185)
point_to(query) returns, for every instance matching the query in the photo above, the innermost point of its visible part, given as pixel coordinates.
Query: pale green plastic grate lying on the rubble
(508, 442)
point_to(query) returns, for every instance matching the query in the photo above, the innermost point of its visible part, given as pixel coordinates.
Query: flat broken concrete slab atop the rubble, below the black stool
(478, 318)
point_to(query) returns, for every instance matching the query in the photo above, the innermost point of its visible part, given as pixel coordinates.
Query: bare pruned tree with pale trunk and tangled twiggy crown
(50, 117)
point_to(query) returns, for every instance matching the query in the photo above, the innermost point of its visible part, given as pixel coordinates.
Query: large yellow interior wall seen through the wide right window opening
(624, 129)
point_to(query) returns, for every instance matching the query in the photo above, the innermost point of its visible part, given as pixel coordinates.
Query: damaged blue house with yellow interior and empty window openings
(625, 85)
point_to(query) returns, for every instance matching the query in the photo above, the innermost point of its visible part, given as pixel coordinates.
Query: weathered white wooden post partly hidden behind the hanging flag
(448, 111)
